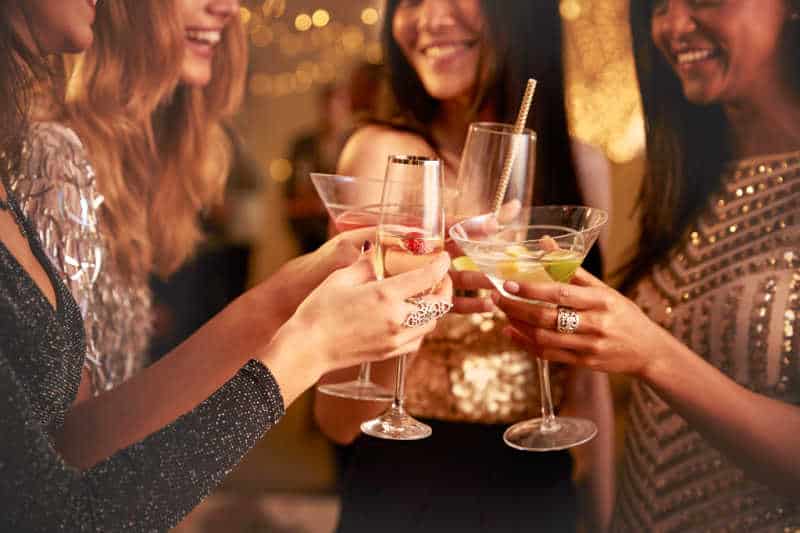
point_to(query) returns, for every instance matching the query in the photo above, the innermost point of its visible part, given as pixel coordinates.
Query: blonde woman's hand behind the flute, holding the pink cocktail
(296, 279)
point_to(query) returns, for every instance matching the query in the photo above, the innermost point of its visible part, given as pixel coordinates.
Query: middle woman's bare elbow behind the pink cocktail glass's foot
(340, 419)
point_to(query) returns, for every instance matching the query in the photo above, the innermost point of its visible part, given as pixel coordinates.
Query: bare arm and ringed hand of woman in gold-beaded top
(760, 434)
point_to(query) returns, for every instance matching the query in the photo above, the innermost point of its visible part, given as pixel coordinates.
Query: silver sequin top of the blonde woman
(56, 188)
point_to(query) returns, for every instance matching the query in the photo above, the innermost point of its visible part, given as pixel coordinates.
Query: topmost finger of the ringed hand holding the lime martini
(560, 294)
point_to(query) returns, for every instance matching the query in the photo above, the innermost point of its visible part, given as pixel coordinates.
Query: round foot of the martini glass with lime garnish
(565, 433)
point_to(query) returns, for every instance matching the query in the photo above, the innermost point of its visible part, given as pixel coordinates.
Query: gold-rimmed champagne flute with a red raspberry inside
(410, 235)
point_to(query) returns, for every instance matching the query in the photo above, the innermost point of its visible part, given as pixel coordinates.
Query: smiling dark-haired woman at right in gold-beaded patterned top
(709, 332)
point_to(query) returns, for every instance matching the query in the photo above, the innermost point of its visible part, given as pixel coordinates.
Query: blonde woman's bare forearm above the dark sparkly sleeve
(176, 384)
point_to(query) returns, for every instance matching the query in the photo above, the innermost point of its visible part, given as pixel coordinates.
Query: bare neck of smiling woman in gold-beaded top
(765, 126)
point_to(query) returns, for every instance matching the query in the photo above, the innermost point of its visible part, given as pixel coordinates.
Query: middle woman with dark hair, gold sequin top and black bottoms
(453, 62)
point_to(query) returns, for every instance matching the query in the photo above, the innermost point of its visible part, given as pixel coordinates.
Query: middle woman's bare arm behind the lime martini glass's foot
(591, 398)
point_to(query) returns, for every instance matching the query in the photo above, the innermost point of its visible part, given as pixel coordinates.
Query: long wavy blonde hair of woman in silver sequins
(157, 145)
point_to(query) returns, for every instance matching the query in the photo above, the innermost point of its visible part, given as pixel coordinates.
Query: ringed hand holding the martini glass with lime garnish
(614, 335)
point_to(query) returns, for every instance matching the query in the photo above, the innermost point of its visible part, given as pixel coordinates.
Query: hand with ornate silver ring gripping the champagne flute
(351, 318)
